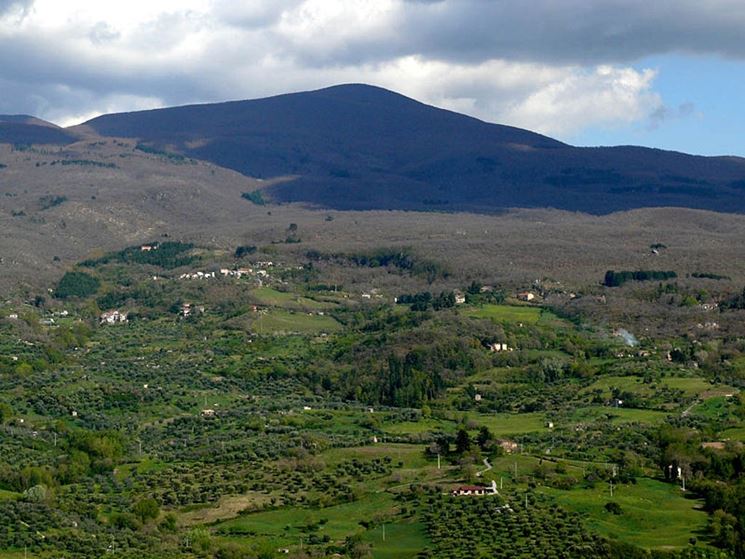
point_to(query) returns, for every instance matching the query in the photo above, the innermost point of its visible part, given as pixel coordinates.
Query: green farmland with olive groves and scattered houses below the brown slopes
(289, 413)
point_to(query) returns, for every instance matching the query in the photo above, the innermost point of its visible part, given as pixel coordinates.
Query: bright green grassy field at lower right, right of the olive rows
(655, 515)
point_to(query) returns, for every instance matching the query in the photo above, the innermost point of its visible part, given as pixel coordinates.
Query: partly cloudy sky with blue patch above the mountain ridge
(659, 73)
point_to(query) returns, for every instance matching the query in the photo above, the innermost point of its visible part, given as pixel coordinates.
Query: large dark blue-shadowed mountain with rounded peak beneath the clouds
(363, 147)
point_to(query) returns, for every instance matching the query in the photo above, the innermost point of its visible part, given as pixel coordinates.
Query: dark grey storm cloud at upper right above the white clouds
(550, 31)
